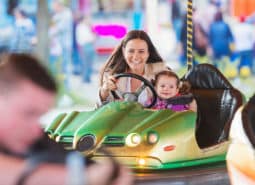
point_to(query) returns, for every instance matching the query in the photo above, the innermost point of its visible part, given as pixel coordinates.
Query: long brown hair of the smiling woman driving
(116, 62)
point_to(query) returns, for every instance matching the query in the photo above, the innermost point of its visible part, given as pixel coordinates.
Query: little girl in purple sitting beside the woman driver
(167, 86)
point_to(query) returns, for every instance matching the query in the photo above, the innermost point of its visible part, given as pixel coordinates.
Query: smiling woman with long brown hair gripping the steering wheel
(136, 54)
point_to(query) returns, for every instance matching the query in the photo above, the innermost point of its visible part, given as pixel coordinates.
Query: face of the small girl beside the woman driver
(166, 87)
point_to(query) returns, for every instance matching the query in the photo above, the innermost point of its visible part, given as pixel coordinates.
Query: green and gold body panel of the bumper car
(112, 123)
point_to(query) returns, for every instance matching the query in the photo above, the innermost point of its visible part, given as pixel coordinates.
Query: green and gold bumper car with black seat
(144, 138)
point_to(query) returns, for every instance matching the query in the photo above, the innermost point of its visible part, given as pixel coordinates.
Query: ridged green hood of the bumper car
(122, 118)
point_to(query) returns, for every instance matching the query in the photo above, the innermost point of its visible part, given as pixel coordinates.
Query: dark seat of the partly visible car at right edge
(248, 120)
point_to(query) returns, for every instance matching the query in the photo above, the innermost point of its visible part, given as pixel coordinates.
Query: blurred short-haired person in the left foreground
(26, 92)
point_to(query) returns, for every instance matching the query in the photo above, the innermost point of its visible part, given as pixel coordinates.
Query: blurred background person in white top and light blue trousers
(85, 39)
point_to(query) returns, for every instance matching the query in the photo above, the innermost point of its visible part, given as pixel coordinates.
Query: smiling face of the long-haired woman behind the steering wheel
(136, 54)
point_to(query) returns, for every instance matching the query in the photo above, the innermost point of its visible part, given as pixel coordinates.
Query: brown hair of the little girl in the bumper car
(184, 87)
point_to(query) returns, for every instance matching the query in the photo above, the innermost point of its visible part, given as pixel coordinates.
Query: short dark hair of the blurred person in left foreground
(15, 67)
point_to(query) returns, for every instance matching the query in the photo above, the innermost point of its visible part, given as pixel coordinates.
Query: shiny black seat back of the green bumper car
(217, 101)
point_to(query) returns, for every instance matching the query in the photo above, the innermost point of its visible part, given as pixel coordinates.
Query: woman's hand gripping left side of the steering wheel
(108, 85)
